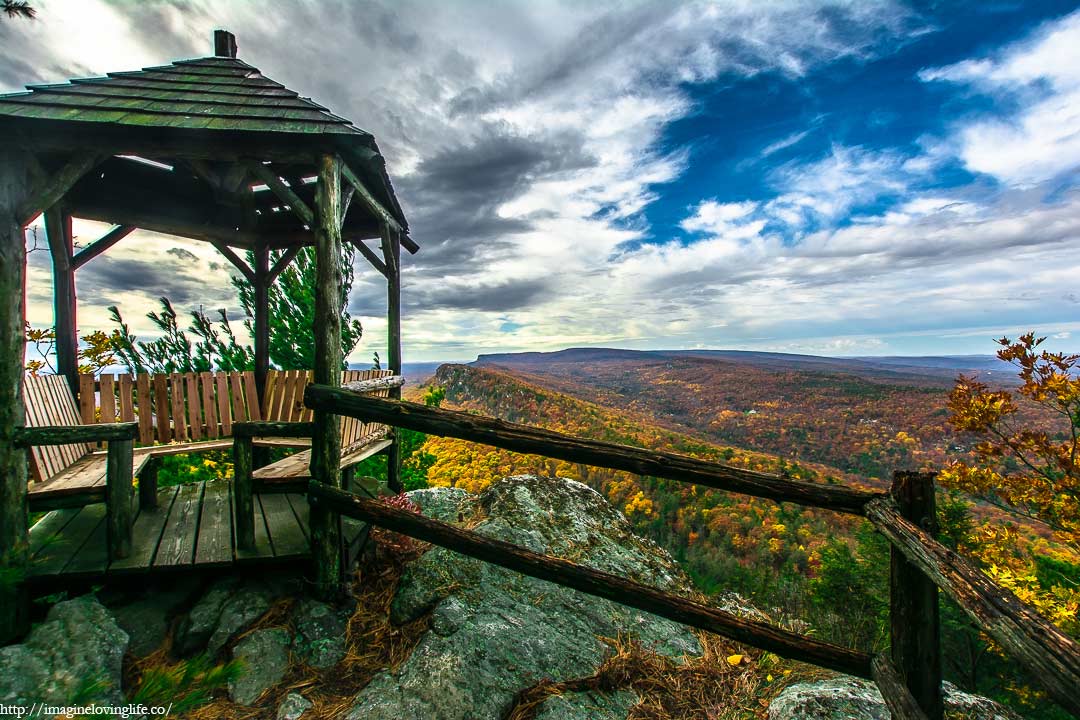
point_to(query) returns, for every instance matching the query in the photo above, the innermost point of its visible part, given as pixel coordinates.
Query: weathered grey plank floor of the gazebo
(192, 528)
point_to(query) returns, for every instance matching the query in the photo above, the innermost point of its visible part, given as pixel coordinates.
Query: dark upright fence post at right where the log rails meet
(914, 613)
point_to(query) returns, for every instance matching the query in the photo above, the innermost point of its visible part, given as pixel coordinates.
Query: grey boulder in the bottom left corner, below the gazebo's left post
(74, 658)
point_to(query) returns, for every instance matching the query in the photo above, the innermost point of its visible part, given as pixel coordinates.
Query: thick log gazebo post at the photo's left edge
(15, 171)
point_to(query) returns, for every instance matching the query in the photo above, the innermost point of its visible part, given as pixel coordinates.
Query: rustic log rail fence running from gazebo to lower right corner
(909, 676)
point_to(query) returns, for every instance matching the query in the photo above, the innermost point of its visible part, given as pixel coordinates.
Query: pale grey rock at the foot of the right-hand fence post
(849, 699)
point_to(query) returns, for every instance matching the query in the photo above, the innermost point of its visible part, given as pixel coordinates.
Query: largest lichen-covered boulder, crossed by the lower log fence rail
(495, 633)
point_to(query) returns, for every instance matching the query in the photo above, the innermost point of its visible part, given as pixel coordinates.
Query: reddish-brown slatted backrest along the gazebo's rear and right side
(191, 406)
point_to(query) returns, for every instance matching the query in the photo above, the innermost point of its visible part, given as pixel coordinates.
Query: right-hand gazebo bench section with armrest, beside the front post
(359, 442)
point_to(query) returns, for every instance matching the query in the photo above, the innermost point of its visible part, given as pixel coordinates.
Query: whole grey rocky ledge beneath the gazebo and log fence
(492, 634)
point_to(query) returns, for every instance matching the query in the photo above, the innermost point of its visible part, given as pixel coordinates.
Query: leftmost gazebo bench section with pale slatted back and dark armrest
(65, 469)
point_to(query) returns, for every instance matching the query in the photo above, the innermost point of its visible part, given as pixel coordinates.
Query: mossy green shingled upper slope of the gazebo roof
(214, 93)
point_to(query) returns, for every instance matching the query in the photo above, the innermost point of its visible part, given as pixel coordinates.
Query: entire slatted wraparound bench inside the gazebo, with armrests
(170, 415)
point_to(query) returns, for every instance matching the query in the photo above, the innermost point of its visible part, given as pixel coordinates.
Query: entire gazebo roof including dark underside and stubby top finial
(205, 120)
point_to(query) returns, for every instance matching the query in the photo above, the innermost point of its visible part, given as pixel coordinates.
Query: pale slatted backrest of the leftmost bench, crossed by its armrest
(49, 402)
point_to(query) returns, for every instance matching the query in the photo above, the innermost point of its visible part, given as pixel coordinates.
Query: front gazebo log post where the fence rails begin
(327, 441)
